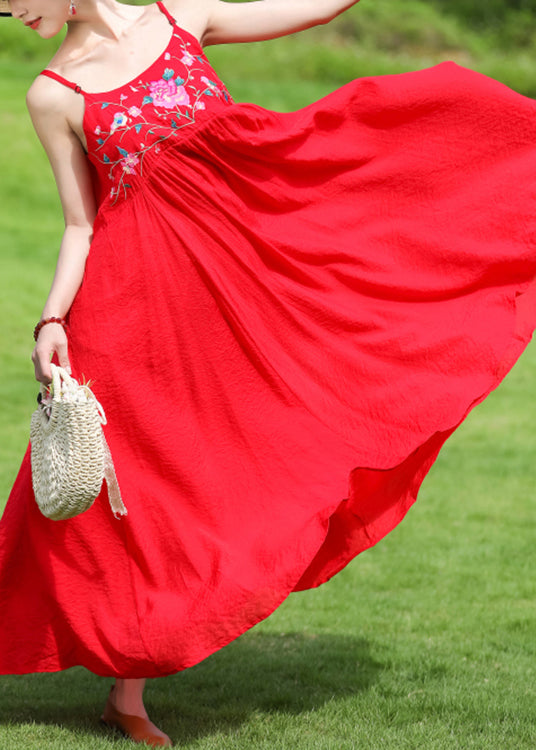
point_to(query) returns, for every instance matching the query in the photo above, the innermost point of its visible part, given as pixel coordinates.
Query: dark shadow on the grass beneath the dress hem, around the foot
(260, 673)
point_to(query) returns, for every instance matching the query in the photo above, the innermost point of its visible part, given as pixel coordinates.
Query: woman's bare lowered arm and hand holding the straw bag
(50, 107)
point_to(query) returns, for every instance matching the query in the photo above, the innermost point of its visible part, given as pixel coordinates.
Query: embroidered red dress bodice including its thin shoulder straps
(127, 127)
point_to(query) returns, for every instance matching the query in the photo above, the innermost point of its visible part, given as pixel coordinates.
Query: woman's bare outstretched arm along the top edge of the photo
(266, 19)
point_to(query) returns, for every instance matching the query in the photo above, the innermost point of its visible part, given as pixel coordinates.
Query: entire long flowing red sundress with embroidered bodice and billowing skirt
(284, 317)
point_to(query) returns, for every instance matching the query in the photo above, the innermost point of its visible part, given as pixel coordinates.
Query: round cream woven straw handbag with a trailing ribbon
(70, 456)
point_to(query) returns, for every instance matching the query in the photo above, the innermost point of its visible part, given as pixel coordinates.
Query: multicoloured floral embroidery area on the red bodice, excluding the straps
(155, 110)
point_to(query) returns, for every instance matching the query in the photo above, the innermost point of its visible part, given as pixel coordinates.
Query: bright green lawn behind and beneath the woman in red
(426, 641)
